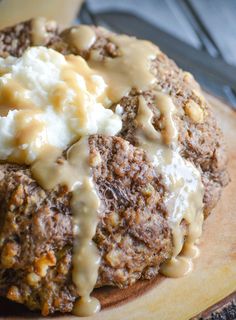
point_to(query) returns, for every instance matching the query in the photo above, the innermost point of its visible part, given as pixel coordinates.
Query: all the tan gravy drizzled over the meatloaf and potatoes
(130, 69)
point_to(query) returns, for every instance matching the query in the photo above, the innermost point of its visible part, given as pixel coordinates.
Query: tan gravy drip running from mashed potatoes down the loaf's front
(76, 174)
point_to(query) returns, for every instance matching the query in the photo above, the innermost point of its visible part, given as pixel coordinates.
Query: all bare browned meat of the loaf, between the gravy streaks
(132, 236)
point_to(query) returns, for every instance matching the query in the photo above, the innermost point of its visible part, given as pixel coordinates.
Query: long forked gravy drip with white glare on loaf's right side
(183, 180)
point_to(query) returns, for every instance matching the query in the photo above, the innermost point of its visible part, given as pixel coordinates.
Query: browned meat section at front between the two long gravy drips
(132, 233)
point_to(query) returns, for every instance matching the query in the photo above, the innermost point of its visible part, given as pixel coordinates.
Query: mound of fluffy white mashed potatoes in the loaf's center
(38, 74)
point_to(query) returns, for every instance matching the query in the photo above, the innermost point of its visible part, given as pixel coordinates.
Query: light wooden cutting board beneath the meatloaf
(214, 275)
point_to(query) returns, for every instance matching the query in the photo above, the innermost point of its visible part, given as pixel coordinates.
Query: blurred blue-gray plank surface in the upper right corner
(205, 24)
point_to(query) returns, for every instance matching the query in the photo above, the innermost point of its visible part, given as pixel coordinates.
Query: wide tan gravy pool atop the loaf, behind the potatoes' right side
(130, 69)
